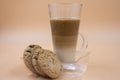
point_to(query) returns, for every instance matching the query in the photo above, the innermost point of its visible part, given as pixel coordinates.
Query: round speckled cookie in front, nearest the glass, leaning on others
(49, 63)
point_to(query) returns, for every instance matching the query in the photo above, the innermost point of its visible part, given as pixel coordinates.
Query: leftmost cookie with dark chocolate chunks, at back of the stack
(27, 56)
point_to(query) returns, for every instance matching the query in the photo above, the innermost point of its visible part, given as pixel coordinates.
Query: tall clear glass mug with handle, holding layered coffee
(68, 43)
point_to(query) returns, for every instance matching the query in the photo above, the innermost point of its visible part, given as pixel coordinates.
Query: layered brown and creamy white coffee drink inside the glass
(64, 35)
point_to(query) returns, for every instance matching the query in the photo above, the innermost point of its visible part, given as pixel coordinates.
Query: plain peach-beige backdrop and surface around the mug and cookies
(24, 22)
